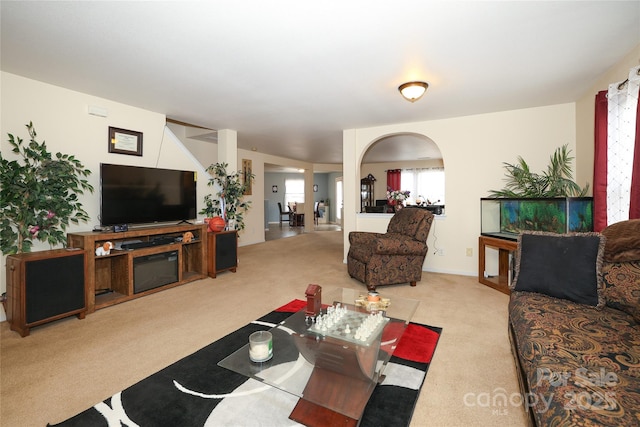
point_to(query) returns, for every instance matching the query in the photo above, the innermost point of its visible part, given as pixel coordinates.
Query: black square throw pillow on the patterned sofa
(563, 266)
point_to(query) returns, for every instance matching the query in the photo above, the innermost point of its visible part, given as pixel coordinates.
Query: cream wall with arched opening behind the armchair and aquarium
(473, 149)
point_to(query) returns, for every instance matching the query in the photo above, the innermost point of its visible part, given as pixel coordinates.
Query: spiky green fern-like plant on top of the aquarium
(556, 181)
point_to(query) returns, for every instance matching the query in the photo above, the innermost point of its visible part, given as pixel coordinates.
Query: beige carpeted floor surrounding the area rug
(64, 367)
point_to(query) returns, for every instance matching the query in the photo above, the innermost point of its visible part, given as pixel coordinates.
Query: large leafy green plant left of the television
(39, 195)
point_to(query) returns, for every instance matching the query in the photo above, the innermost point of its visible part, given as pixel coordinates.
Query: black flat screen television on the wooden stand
(141, 195)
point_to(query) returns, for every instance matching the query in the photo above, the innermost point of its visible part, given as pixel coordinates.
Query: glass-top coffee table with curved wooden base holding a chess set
(333, 362)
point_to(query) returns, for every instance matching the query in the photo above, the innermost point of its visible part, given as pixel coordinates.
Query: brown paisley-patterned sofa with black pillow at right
(578, 356)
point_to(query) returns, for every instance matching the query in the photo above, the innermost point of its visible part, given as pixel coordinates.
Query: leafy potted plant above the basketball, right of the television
(228, 201)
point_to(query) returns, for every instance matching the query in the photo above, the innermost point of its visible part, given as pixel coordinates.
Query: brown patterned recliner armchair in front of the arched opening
(395, 257)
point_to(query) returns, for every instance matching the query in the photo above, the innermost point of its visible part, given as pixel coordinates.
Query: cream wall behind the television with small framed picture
(60, 118)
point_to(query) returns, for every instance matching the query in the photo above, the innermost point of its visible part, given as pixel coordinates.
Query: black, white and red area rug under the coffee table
(195, 391)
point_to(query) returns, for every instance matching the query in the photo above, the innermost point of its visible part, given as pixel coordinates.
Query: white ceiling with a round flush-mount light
(289, 76)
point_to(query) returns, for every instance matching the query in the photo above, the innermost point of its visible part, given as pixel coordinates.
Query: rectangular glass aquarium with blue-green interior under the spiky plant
(506, 218)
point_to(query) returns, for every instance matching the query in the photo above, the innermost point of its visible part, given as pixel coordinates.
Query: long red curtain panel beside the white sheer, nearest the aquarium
(600, 163)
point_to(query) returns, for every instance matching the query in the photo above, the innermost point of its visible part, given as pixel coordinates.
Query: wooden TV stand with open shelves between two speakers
(110, 278)
